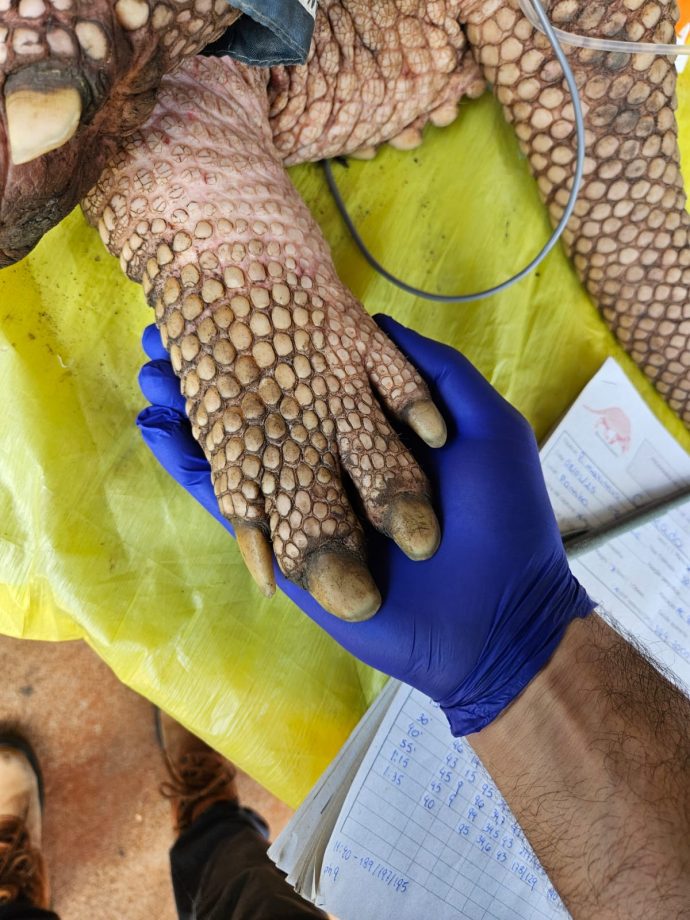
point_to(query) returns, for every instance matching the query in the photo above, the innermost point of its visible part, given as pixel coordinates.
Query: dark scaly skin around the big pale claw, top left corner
(114, 53)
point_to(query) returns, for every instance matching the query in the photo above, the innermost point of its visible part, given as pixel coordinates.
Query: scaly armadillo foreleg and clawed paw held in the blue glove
(273, 353)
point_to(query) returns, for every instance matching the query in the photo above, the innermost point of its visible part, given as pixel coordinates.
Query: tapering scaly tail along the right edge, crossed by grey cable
(629, 235)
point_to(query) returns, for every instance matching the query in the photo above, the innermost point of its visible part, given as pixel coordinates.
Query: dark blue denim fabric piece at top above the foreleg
(268, 32)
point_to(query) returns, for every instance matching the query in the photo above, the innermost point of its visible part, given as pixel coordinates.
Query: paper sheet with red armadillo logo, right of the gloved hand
(608, 456)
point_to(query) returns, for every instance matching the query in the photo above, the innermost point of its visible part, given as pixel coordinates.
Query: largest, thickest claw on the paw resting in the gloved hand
(342, 584)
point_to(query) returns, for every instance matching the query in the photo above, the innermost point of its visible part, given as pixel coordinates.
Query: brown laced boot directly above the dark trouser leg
(199, 776)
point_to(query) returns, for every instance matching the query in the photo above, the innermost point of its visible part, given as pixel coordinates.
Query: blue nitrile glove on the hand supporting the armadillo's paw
(471, 626)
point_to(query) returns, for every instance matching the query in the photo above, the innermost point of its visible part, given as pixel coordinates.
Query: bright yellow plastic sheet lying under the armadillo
(97, 542)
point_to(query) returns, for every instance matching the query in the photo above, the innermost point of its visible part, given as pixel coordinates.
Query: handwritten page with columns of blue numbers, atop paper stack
(424, 832)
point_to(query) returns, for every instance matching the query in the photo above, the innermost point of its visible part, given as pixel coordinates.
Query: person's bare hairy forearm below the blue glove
(594, 760)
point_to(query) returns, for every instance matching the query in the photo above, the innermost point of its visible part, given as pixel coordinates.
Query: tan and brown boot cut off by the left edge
(22, 871)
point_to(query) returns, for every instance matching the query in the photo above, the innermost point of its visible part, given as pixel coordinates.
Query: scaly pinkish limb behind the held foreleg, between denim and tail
(376, 72)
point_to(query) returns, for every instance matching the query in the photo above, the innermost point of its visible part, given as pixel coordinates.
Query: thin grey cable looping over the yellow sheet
(555, 236)
